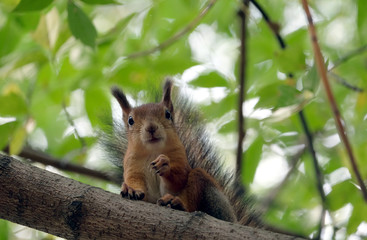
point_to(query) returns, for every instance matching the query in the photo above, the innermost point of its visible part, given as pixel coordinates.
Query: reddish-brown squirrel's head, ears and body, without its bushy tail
(156, 168)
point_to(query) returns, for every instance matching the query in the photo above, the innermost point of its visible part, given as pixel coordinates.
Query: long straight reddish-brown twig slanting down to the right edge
(337, 116)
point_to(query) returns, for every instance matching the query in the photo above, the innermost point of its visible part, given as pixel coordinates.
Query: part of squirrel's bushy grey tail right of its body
(201, 153)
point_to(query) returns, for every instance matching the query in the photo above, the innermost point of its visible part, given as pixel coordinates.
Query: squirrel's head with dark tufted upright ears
(149, 126)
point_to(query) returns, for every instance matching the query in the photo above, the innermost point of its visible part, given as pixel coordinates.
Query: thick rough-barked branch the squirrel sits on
(67, 208)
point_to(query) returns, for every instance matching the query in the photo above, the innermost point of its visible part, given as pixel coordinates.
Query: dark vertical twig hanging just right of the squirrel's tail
(242, 90)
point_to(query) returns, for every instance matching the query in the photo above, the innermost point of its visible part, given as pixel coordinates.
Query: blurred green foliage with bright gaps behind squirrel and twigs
(62, 56)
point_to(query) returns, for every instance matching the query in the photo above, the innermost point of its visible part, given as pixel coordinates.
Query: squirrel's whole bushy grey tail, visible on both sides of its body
(200, 152)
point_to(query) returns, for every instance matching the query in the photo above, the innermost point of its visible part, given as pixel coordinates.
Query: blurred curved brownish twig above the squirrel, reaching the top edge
(178, 35)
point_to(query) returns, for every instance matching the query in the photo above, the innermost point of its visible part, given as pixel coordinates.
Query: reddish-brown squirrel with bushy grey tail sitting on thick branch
(168, 160)
